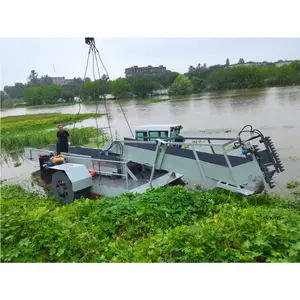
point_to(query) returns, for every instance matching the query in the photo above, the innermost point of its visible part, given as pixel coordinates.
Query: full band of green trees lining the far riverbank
(41, 91)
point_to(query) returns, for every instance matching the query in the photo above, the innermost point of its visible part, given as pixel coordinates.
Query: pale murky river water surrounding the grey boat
(274, 111)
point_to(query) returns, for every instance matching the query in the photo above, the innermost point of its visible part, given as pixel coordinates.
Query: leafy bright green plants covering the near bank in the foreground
(168, 224)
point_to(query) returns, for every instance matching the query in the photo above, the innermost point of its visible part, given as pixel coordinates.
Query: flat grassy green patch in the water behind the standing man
(18, 132)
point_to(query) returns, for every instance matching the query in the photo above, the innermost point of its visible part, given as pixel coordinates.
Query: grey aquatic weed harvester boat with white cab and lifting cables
(157, 155)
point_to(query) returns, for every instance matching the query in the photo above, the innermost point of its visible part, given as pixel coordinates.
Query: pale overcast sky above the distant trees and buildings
(67, 56)
